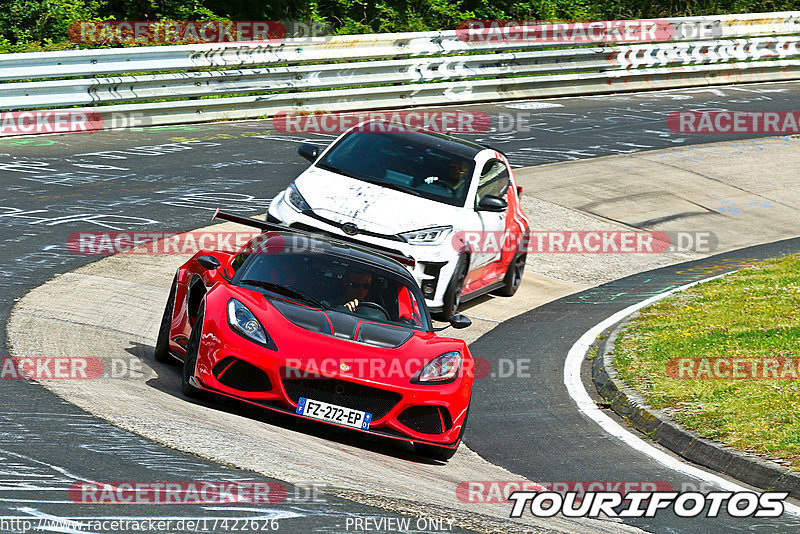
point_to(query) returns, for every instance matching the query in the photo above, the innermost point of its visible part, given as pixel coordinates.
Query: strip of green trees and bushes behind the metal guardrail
(42, 24)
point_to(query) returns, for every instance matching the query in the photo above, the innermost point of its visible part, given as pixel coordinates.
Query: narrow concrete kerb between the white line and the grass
(659, 427)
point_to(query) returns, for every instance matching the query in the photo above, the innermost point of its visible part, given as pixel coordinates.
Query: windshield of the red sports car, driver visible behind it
(331, 282)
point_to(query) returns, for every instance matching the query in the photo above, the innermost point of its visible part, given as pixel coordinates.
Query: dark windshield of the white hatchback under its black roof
(405, 162)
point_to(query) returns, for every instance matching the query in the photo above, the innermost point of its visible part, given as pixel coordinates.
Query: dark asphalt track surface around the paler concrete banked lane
(172, 178)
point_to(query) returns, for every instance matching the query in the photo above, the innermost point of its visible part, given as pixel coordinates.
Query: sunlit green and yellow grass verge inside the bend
(749, 321)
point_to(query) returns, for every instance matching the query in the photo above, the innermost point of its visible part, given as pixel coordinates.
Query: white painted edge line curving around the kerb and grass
(572, 379)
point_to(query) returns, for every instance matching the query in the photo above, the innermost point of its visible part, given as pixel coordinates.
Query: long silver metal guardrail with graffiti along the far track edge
(360, 72)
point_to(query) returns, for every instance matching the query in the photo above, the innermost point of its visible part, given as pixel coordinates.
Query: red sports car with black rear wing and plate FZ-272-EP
(321, 329)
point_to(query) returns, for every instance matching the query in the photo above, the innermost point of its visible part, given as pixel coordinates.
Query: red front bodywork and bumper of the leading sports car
(304, 363)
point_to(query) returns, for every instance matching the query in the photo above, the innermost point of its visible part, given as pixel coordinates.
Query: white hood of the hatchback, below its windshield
(371, 207)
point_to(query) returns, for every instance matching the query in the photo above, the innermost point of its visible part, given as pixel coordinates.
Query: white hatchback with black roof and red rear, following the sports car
(414, 193)
